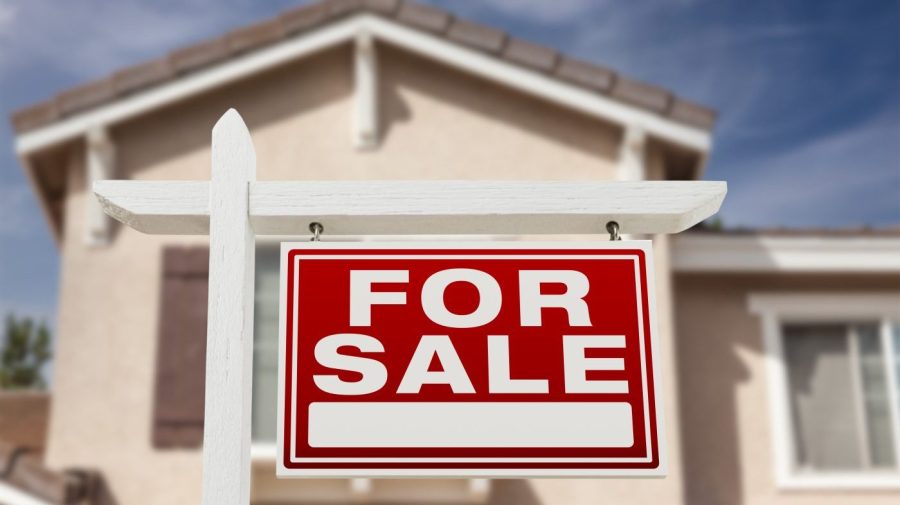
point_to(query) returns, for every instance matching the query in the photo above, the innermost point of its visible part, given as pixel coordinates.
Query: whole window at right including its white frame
(834, 376)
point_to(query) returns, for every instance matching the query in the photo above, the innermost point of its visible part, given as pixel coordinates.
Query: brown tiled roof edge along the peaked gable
(424, 18)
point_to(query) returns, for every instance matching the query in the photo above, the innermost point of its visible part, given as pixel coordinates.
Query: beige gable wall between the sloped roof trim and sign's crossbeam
(435, 123)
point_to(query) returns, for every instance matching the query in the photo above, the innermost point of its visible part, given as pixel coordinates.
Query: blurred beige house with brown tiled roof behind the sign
(781, 350)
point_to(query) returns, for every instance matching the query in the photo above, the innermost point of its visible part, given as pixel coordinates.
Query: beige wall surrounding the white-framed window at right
(725, 418)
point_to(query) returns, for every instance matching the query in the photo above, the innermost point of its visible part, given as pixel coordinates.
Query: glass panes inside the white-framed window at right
(838, 394)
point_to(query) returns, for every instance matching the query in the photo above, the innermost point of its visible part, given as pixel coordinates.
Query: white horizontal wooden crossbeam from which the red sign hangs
(422, 208)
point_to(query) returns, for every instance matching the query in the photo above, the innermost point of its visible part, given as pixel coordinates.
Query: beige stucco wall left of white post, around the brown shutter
(105, 365)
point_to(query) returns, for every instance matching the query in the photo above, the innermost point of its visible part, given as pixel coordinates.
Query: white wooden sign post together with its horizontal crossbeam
(233, 208)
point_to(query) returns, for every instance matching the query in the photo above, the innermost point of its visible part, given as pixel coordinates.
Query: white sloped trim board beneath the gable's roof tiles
(437, 48)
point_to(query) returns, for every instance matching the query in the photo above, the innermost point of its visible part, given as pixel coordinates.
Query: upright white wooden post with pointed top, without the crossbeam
(229, 340)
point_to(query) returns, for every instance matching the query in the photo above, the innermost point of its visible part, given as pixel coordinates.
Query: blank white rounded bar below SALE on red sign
(470, 424)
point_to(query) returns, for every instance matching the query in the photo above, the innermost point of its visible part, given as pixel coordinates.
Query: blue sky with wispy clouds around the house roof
(808, 94)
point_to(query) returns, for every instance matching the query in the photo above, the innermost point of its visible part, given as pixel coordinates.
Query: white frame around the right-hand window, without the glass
(776, 309)
